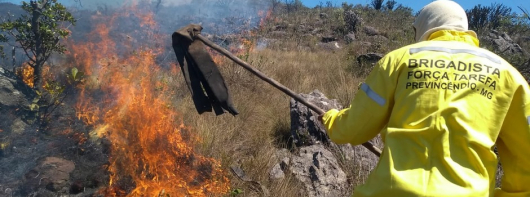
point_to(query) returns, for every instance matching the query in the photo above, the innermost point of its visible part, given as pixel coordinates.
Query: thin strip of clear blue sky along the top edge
(414, 4)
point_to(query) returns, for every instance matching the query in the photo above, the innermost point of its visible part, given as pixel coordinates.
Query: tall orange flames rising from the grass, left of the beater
(125, 99)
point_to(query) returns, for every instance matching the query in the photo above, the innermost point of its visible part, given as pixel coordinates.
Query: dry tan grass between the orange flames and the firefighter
(252, 139)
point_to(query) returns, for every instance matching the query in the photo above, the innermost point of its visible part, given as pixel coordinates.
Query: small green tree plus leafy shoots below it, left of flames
(38, 33)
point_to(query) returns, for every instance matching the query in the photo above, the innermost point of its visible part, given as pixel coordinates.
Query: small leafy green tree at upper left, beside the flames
(39, 31)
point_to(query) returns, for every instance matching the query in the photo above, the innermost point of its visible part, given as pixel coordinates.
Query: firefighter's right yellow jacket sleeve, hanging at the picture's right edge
(513, 145)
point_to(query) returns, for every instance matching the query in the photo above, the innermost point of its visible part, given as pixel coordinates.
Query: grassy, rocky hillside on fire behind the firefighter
(131, 128)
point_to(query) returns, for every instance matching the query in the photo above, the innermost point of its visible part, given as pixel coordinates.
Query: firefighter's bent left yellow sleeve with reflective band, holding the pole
(369, 111)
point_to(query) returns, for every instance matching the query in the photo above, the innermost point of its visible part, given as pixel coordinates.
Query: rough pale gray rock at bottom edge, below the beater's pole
(319, 171)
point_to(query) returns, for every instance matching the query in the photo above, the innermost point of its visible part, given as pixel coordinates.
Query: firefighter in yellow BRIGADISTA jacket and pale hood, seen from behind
(441, 105)
